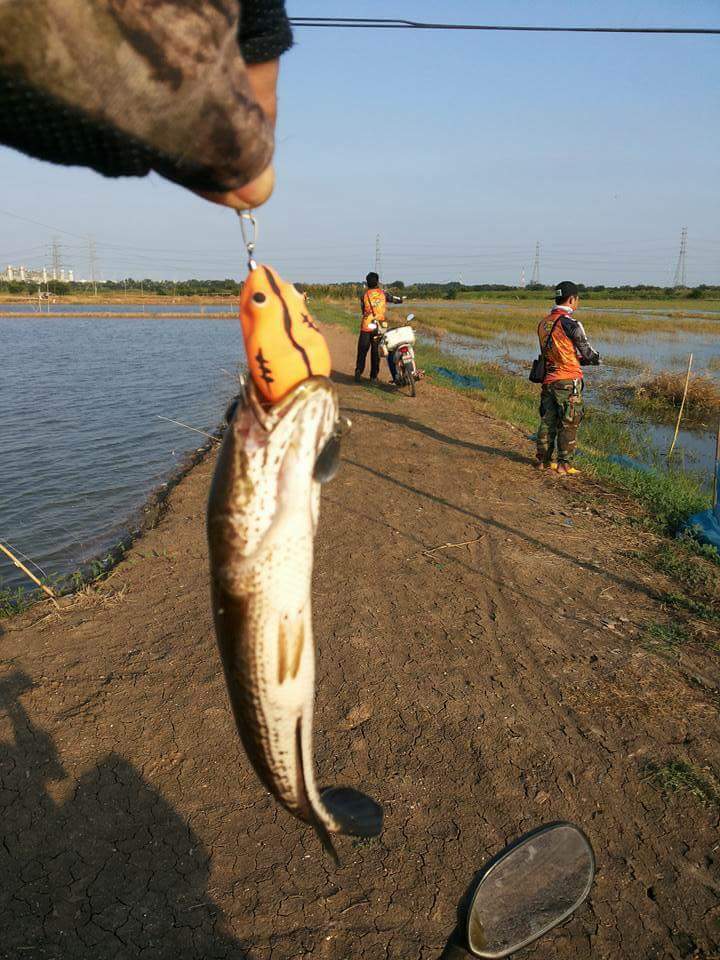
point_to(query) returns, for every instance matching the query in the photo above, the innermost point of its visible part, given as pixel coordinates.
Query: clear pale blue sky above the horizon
(460, 149)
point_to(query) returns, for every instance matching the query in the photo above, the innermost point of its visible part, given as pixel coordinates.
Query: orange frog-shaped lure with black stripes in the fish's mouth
(282, 341)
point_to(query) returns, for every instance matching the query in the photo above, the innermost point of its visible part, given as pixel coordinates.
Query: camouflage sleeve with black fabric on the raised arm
(130, 86)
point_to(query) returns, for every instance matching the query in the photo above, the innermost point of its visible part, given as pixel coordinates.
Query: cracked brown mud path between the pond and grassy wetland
(477, 691)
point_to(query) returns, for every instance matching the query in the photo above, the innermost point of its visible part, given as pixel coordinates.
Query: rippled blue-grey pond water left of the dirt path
(81, 443)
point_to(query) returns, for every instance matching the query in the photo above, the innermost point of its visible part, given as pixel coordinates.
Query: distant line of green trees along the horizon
(351, 291)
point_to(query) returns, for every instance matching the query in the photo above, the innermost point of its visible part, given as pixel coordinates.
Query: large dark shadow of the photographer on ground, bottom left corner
(113, 872)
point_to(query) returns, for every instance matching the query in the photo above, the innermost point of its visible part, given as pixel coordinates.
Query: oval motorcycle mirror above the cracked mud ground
(529, 888)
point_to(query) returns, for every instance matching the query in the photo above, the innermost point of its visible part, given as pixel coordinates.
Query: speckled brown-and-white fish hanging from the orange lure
(262, 518)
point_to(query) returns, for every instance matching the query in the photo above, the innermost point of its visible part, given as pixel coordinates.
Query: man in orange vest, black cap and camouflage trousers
(565, 349)
